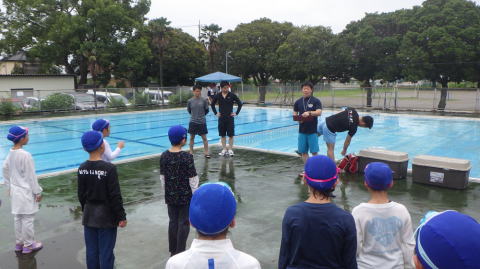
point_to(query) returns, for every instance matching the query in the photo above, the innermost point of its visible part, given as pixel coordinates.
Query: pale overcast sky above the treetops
(335, 14)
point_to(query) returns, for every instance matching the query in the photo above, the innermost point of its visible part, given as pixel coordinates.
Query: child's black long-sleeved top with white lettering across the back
(99, 194)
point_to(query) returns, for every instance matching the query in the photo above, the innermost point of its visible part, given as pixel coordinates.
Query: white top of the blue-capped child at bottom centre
(212, 254)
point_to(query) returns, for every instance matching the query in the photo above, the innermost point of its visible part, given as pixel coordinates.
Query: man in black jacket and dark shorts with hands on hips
(226, 124)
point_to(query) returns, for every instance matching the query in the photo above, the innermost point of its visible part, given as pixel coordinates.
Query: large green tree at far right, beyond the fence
(437, 47)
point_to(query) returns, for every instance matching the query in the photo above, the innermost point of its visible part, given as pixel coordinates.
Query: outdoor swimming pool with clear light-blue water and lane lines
(55, 143)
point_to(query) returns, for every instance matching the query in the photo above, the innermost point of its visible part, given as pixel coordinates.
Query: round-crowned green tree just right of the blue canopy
(254, 46)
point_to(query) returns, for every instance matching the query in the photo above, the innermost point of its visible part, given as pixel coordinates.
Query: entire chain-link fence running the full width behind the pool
(383, 98)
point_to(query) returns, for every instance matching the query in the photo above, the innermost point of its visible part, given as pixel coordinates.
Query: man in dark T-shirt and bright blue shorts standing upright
(306, 110)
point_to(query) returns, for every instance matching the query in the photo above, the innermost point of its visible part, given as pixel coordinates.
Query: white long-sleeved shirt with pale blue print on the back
(384, 236)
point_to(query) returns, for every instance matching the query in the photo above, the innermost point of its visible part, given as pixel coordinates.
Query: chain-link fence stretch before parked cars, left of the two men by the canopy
(18, 101)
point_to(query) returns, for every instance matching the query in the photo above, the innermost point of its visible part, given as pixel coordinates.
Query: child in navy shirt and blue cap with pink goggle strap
(316, 233)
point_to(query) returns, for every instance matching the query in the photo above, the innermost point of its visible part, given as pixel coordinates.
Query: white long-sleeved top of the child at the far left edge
(21, 181)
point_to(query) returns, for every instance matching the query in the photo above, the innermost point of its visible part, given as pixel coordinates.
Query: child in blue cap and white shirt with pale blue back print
(384, 228)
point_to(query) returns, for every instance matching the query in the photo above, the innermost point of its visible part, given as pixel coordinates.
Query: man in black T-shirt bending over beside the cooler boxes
(347, 120)
